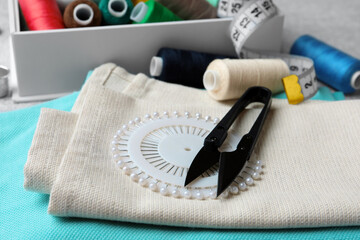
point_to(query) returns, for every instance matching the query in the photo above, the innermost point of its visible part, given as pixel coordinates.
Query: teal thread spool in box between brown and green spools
(116, 12)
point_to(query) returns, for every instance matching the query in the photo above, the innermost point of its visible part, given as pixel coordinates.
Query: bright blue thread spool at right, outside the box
(333, 67)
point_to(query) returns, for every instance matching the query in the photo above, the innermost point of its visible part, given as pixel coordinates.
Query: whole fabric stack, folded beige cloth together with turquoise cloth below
(310, 181)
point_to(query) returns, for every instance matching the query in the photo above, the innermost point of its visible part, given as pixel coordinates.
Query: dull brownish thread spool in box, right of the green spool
(190, 9)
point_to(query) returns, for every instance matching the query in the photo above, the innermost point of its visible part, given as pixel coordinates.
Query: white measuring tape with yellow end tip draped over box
(302, 83)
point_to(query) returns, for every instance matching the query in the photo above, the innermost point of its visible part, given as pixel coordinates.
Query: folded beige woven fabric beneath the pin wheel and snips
(310, 152)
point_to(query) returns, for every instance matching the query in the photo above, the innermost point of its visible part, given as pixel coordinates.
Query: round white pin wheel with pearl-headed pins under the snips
(157, 152)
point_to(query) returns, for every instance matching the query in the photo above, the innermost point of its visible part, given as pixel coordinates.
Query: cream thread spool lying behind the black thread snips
(229, 78)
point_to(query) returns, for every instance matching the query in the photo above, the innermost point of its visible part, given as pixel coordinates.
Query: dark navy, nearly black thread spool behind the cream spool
(181, 66)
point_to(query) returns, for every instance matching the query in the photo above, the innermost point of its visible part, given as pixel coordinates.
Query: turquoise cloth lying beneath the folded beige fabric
(23, 215)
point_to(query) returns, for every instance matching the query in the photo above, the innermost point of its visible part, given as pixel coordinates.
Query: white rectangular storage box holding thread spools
(49, 64)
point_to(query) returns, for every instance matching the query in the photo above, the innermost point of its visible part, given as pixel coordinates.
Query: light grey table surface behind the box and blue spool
(333, 21)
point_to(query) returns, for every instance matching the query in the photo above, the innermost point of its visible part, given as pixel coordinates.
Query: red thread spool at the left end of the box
(41, 14)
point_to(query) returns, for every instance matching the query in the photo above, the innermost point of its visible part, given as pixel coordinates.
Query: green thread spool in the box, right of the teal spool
(151, 11)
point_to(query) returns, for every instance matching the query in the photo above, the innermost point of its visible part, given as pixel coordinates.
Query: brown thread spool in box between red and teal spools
(82, 13)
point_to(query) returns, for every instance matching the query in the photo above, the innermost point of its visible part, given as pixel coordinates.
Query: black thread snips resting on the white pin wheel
(230, 163)
